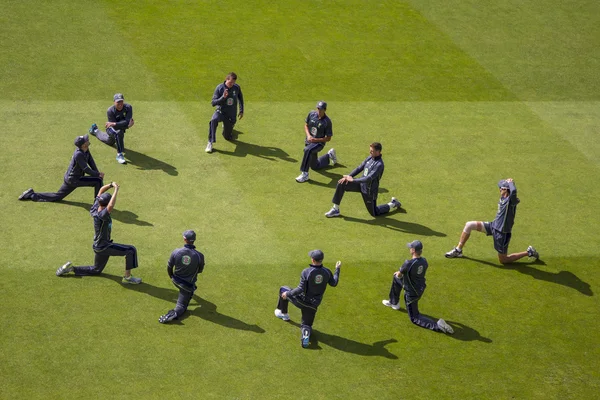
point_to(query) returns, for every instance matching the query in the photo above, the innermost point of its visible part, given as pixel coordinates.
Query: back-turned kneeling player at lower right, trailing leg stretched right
(411, 278)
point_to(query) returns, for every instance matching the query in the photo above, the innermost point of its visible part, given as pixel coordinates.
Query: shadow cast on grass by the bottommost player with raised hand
(349, 345)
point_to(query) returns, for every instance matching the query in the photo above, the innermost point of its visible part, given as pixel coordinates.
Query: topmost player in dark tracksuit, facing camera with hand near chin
(226, 98)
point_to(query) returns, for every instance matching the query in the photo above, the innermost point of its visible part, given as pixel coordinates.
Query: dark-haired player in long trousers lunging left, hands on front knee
(367, 184)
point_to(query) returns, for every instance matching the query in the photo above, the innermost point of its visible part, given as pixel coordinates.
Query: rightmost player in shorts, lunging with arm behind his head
(500, 229)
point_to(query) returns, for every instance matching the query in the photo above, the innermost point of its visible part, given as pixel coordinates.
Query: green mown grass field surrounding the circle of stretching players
(461, 94)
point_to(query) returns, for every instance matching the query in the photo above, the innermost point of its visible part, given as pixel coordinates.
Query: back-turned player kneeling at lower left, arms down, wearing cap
(183, 267)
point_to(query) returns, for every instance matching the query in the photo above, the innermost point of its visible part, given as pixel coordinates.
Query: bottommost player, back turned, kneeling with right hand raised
(309, 293)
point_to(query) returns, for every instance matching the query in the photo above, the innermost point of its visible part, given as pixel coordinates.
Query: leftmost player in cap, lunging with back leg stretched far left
(82, 163)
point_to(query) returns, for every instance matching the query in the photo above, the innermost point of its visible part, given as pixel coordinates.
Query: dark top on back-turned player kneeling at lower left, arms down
(184, 266)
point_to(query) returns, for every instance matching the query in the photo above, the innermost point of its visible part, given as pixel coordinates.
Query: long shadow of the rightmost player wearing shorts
(565, 278)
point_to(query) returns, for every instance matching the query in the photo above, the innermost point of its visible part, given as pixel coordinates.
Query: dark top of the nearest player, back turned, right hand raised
(313, 283)
